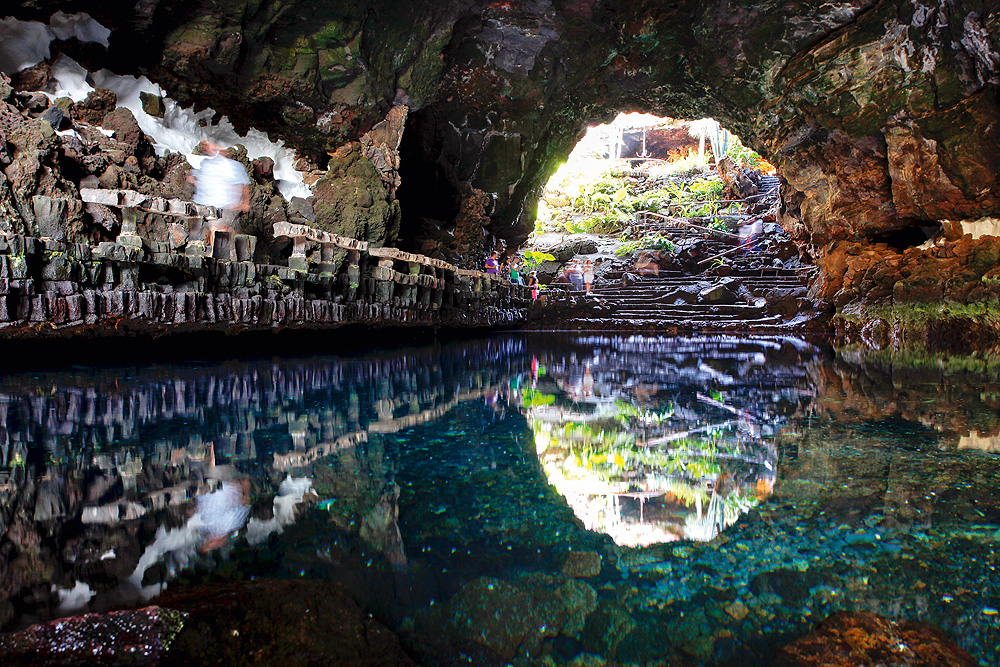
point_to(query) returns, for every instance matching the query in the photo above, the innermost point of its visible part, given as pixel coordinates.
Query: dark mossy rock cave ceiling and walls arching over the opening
(878, 115)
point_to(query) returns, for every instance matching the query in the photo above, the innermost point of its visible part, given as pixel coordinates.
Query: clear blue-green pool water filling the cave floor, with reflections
(735, 492)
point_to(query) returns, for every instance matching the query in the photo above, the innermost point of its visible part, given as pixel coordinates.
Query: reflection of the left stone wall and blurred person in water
(142, 472)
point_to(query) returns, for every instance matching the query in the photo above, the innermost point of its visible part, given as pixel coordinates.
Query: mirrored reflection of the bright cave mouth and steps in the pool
(656, 441)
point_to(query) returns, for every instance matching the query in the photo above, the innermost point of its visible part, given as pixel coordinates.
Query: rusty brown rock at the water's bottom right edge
(862, 638)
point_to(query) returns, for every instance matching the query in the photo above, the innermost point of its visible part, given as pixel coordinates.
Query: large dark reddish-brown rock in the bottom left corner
(287, 623)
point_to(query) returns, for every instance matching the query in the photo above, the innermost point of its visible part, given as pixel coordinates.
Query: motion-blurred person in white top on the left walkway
(223, 184)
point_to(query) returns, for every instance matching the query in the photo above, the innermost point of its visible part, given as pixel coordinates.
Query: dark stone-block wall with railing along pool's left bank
(157, 277)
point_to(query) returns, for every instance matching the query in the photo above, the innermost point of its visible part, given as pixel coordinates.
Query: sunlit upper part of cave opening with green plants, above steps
(622, 174)
